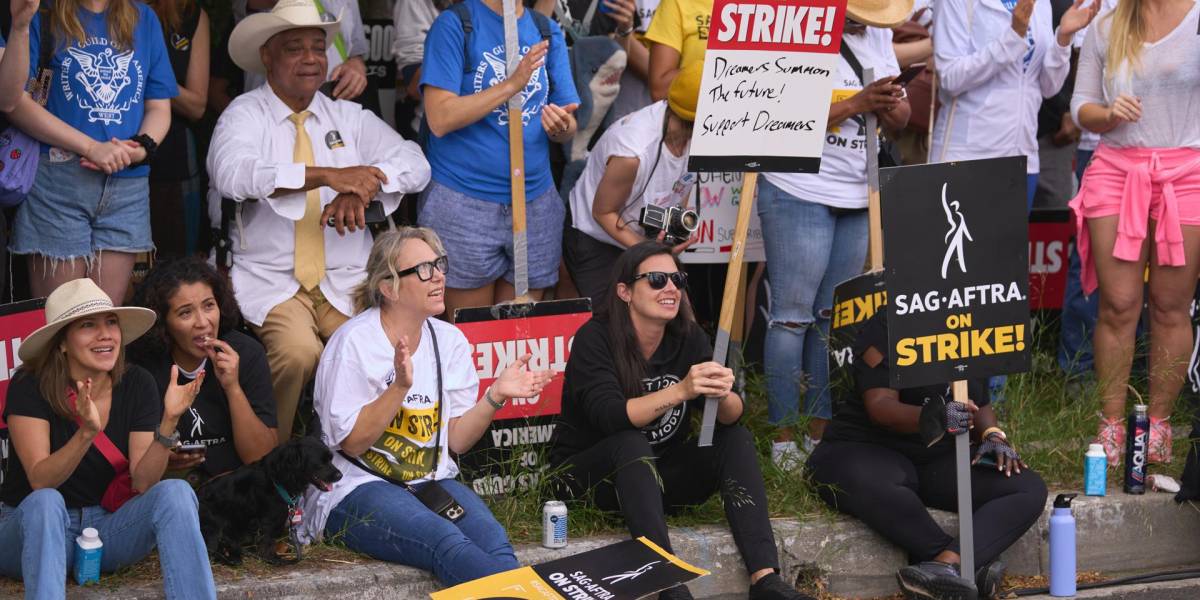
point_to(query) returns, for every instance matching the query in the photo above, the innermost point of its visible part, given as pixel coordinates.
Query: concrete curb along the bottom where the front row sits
(1117, 535)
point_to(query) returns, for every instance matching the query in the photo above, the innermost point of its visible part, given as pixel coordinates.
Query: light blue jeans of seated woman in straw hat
(165, 518)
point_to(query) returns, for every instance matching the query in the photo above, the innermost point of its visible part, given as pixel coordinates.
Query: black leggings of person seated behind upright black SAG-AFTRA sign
(890, 493)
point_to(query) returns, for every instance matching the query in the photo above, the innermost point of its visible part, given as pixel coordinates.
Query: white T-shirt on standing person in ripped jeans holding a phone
(843, 178)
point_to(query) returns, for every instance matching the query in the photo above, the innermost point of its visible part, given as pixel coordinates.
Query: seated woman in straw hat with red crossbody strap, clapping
(92, 441)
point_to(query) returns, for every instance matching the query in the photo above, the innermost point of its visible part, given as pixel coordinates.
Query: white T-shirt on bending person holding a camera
(637, 136)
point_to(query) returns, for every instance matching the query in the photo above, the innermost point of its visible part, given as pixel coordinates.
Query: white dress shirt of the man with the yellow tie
(250, 158)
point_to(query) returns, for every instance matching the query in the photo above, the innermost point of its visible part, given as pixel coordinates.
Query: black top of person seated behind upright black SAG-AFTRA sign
(850, 419)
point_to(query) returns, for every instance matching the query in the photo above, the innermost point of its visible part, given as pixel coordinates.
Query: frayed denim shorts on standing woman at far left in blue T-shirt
(76, 213)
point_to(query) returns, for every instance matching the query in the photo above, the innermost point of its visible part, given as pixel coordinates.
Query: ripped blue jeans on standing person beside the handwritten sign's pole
(811, 250)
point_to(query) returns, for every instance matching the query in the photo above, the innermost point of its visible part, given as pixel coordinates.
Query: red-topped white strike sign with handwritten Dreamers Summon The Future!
(769, 77)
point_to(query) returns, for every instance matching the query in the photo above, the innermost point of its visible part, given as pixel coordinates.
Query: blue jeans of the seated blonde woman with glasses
(387, 523)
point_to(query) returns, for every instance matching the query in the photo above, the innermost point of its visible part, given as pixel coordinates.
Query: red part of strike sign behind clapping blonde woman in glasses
(499, 344)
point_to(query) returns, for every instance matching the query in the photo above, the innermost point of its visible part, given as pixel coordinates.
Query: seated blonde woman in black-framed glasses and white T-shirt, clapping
(398, 395)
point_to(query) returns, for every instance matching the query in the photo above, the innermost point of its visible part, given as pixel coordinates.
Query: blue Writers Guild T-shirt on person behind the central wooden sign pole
(475, 160)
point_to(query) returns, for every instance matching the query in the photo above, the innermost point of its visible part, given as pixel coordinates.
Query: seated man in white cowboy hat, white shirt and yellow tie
(314, 165)
